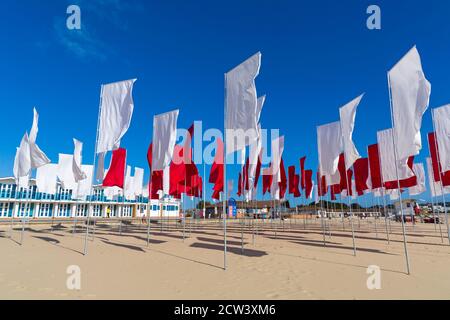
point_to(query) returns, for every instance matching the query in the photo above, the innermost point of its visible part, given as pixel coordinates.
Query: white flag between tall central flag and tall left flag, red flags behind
(164, 139)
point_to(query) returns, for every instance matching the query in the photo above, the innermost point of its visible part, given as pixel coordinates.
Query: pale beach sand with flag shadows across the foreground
(293, 264)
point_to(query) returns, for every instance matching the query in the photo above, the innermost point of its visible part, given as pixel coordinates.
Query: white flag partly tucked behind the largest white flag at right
(387, 158)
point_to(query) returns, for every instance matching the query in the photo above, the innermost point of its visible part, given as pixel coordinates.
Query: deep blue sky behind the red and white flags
(317, 55)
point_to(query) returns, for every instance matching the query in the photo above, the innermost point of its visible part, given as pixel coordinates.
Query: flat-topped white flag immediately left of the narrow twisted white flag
(329, 142)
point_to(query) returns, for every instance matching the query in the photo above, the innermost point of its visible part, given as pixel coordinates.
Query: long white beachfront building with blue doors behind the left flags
(28, 202)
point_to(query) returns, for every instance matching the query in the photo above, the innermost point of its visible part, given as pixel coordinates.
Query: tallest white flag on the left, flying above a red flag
(115, 116)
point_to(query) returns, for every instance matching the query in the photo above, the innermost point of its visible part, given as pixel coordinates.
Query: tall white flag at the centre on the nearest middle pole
(241, 104)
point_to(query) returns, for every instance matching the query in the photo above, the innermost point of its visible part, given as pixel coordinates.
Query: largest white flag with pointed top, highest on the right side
(410, 94)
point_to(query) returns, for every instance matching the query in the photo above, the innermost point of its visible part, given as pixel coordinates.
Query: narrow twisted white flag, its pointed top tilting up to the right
(348, 114)
